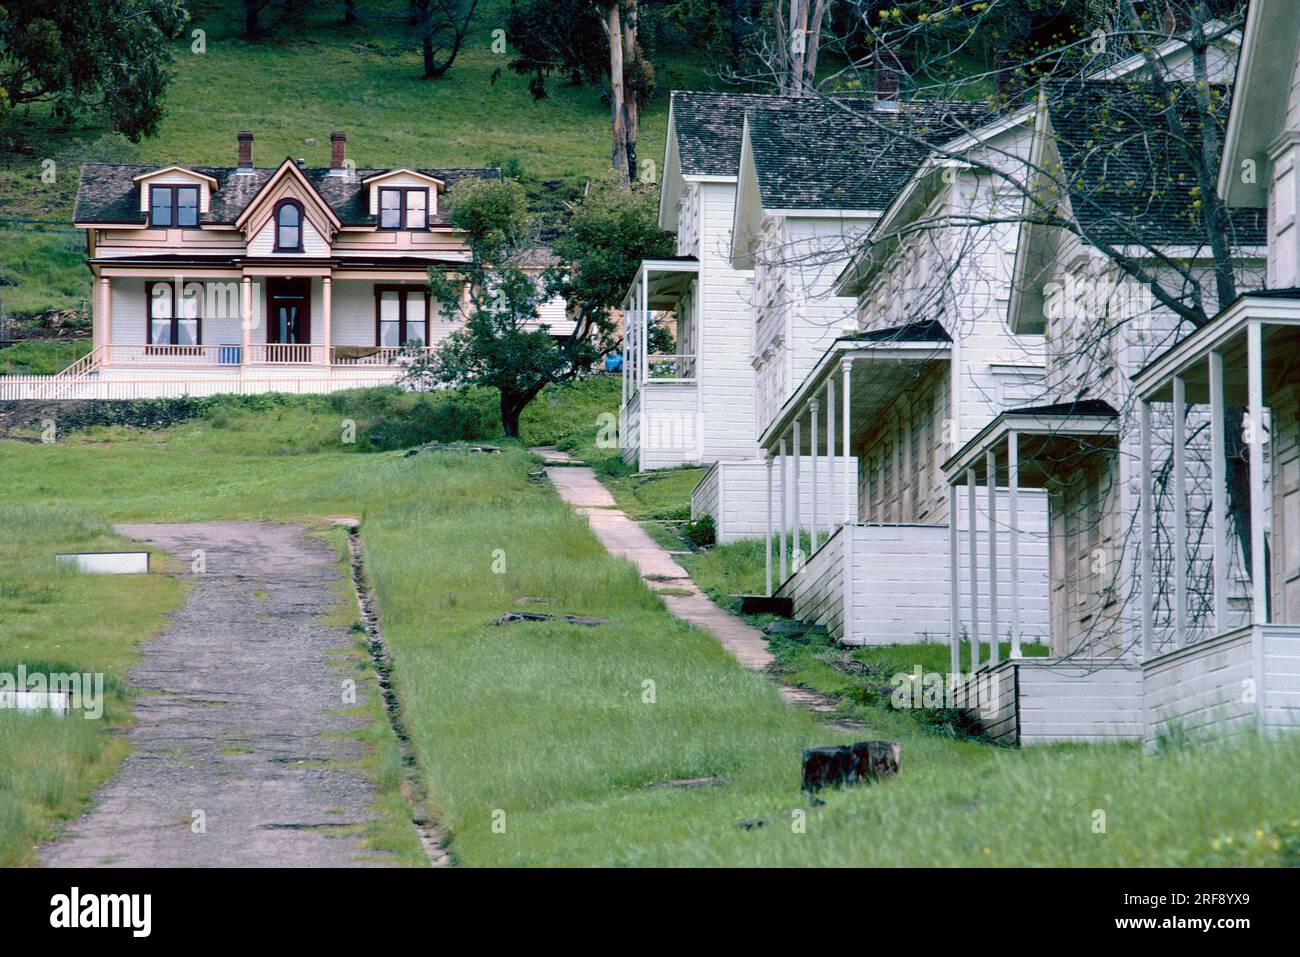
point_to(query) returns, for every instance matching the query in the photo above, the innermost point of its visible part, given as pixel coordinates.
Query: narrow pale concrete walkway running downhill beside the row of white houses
(622, 536)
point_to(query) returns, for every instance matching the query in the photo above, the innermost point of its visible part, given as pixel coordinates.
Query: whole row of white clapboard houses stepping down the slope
(947, 434)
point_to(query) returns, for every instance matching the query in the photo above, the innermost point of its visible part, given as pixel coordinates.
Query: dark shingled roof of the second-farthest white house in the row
(848, 155)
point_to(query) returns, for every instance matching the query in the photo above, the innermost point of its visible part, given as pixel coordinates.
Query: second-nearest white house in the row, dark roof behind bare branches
(1080, 441)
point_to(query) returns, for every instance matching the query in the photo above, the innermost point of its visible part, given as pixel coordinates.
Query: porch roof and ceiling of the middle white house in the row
(878, 374)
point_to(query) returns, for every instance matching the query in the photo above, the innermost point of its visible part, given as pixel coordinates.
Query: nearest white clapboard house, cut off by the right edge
(1242, 673)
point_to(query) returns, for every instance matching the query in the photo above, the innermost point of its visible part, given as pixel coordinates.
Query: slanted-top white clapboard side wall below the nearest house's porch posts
(1202, 688)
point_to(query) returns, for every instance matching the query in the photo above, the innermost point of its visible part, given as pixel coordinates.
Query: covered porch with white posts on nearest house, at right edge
(1245, 677)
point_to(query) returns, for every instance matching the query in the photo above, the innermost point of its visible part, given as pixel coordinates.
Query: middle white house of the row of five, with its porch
(929, 362)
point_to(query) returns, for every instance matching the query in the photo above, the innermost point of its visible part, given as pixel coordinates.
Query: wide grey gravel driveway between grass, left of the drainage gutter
(237, 718)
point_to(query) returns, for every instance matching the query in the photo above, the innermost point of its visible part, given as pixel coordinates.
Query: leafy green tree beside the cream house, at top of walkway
(501, 344)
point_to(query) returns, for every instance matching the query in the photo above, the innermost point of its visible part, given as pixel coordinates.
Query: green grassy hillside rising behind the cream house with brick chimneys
(292, 90)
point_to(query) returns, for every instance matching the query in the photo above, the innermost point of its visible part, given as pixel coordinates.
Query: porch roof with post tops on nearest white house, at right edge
(1280, 313)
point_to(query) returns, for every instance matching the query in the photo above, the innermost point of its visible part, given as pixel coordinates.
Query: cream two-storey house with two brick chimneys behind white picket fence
(257, 279)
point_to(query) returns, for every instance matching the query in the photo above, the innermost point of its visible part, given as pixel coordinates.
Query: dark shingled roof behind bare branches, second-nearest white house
(1129, 177)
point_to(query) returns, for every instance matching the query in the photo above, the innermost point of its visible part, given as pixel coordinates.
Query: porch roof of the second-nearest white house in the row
(1051, 441)
